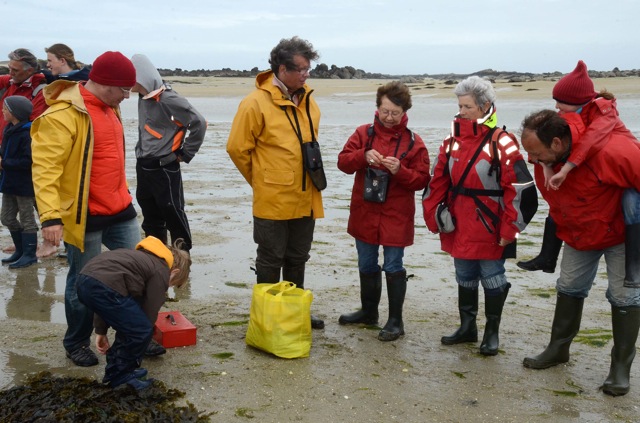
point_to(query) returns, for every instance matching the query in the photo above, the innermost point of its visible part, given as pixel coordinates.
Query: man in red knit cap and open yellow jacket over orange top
(80, 182)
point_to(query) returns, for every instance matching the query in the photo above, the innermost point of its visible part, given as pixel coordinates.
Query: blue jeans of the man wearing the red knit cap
(80, 318)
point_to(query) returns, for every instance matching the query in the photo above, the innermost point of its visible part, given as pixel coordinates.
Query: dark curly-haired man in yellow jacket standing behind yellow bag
(266, 143)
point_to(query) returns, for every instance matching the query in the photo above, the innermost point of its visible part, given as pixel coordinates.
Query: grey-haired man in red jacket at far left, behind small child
(24, 79)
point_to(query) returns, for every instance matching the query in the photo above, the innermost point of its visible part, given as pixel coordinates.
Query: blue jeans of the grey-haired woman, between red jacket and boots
(470, 273)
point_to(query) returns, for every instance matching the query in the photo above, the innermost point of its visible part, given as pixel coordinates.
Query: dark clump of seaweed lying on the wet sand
(45, 398)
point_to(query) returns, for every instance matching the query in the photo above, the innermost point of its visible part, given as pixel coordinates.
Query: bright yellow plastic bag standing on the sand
(280, 319)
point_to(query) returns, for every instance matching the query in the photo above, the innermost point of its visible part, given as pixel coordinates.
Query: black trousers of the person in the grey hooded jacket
(161, 198)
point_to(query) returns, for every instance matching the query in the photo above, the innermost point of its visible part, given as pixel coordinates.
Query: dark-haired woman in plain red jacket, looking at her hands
(390, 163)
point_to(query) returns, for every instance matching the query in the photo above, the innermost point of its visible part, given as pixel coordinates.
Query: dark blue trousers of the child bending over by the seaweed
(126, 317)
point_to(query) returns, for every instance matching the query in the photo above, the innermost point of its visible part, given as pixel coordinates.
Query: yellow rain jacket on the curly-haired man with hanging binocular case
(264, 146)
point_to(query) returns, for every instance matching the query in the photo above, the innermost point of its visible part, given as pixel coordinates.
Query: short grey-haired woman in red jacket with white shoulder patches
(488, 196)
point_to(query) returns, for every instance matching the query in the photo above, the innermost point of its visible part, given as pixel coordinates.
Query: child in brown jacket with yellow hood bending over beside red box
(125, 289)
